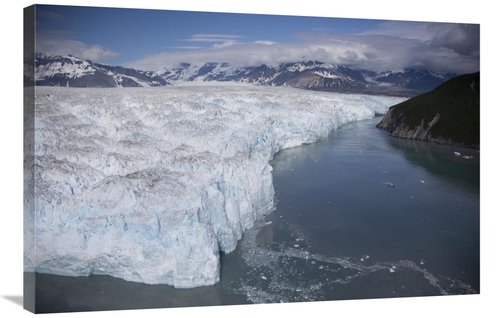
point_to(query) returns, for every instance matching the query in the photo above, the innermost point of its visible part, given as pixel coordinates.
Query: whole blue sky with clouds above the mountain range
(149, 39)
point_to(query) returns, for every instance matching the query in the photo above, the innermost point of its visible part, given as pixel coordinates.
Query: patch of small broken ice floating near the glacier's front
(289, 278)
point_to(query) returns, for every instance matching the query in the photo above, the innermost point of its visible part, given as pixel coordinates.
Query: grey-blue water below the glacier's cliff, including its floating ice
(360, 215)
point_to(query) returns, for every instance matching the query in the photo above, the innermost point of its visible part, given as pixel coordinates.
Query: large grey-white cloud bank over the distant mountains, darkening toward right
(443, 47)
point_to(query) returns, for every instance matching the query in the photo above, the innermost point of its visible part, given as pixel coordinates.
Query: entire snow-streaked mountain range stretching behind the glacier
(47, 70)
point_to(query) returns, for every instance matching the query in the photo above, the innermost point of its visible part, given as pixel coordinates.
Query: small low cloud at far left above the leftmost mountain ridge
(60, 43)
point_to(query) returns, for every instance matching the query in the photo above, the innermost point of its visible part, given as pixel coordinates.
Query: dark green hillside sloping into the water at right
(449, 114)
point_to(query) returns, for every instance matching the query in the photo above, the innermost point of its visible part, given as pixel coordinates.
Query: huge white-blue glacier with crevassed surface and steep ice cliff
(151, 184)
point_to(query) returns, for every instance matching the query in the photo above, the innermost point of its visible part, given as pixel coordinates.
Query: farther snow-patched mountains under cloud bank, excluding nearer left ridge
(312, 75)
